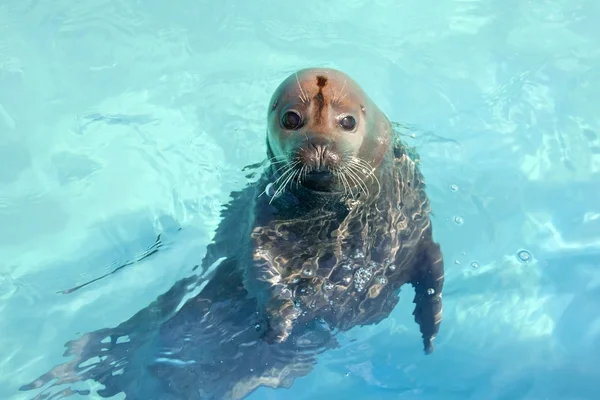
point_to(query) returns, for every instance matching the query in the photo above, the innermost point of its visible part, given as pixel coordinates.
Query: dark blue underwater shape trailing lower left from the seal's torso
(202, 339)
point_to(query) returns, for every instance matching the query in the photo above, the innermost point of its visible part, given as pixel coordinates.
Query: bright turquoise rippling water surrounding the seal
(122, 120)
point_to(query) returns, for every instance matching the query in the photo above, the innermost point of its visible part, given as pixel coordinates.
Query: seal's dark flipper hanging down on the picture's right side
(428, 282)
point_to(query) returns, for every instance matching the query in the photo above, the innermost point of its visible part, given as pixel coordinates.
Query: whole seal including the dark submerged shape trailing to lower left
(336, 223)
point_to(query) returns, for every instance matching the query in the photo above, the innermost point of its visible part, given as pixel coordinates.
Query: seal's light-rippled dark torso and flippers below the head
(312, 249)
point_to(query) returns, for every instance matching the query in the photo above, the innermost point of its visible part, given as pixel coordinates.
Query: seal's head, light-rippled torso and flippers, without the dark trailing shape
(354, 225)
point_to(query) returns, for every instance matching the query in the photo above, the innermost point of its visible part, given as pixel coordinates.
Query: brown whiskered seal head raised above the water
(324, 132)
